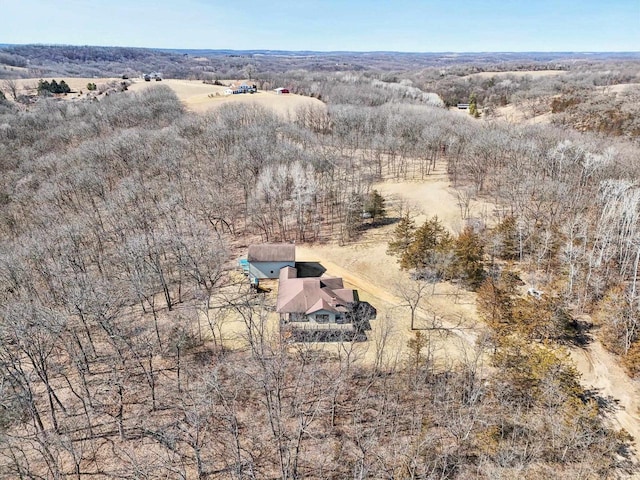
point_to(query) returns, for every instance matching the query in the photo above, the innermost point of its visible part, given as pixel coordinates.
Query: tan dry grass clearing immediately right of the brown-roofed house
(378, 280)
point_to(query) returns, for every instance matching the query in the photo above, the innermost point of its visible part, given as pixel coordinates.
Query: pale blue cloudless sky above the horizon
(401, 25)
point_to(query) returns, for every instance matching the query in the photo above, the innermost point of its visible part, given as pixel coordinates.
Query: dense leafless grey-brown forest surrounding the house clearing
(121, 220)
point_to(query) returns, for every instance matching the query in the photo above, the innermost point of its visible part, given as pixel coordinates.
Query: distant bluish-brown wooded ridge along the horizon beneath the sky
(38, 60)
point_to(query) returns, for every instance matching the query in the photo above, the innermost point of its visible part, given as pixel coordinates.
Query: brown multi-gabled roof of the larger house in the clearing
(309, 295)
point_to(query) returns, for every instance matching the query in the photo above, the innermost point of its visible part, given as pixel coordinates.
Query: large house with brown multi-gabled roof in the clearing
(313, 299)
